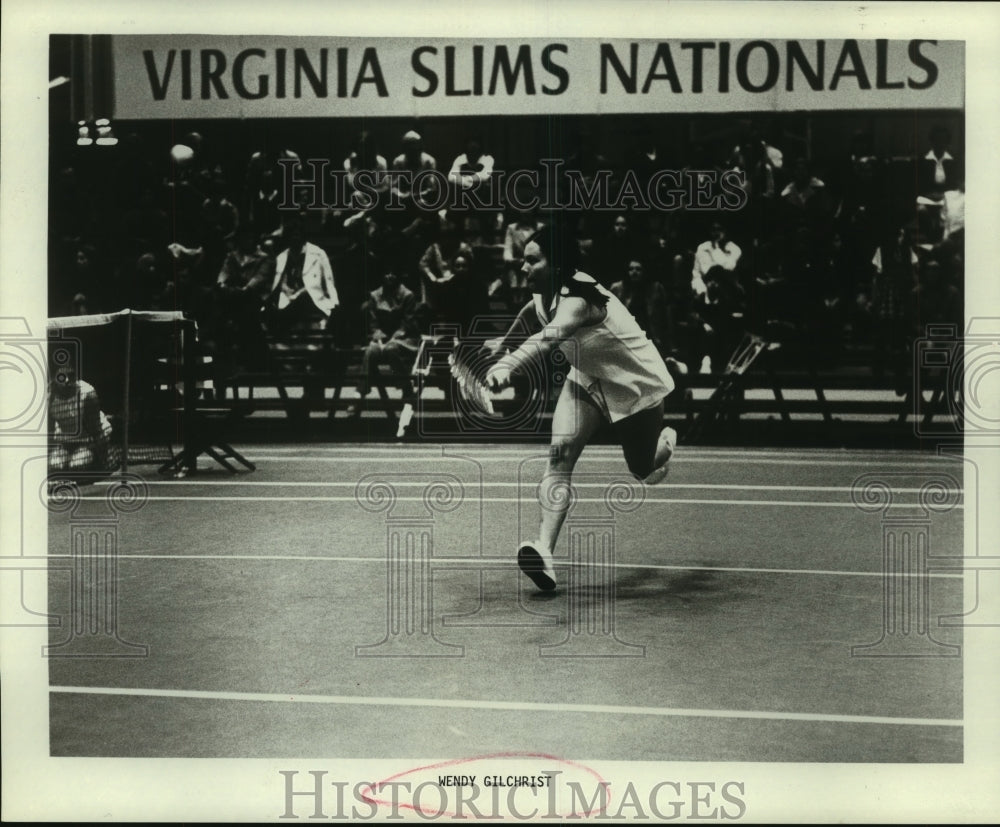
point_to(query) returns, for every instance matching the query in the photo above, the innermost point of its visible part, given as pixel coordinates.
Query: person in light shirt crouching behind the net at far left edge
(78, 430)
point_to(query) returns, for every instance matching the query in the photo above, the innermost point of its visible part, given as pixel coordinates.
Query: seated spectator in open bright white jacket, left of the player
(303, 293)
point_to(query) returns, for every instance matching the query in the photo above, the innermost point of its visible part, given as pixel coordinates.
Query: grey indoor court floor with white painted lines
(287, 614)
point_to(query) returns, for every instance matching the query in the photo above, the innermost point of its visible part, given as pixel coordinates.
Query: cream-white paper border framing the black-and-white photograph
(37, 787)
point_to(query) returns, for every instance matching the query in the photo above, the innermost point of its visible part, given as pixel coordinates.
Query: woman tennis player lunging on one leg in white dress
(616, 376)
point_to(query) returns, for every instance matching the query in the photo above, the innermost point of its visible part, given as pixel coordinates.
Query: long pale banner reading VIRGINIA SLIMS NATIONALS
(192, 76)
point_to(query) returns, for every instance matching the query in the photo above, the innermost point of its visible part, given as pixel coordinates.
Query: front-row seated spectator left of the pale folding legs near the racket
(393, 333)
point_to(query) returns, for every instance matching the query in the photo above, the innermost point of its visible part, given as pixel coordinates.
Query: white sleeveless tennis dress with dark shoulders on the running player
(614, 361)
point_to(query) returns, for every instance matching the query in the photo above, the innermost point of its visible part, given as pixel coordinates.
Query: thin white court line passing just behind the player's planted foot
(443, 562)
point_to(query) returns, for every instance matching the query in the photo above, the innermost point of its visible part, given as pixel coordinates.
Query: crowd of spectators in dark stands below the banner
(852, 253)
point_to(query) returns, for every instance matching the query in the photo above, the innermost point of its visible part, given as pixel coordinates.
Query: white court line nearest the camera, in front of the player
(513, 706)
